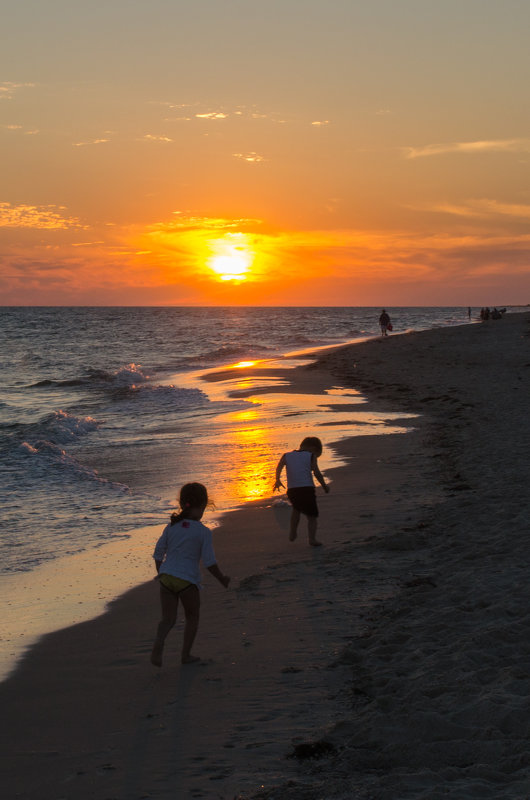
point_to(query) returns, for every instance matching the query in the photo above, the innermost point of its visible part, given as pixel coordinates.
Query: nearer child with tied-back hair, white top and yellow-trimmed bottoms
(184, 543)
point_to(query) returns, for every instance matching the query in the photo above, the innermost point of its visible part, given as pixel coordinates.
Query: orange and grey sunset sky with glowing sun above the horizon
(241, 153)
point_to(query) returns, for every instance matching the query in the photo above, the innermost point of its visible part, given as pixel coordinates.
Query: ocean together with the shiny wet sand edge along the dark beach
(106, 412)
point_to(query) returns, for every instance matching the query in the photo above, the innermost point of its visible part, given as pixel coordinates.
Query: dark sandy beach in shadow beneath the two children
(392, 663)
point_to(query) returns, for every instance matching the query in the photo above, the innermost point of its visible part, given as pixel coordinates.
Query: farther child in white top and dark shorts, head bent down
(300, 466)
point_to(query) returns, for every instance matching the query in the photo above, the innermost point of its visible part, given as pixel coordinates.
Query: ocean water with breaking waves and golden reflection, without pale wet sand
(103, 413)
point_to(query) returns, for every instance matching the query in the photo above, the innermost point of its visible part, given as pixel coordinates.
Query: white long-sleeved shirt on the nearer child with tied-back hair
(182, 547)
